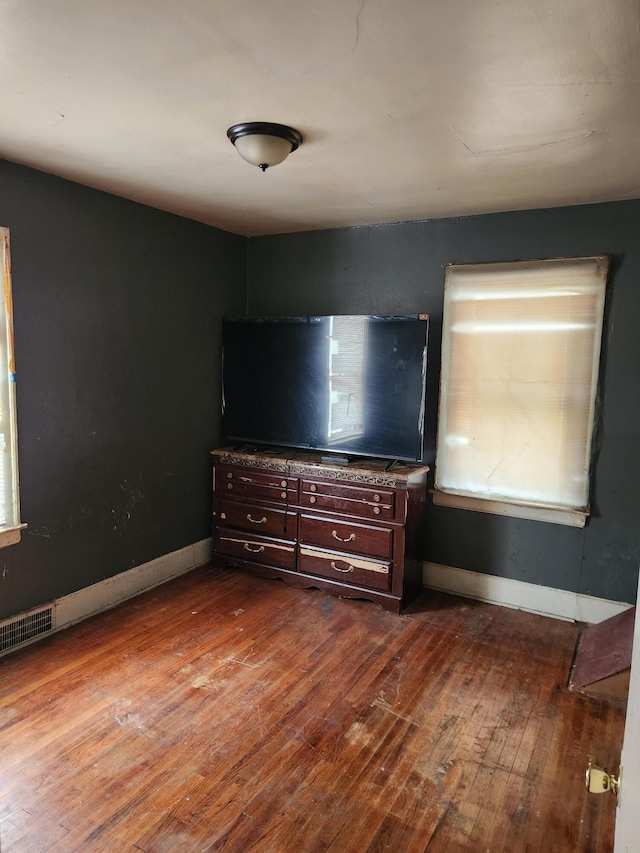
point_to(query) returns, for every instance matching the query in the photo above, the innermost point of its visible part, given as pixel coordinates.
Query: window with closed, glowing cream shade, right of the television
(520, 355)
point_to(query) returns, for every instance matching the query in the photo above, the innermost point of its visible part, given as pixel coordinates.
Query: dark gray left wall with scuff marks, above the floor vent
(117, 323)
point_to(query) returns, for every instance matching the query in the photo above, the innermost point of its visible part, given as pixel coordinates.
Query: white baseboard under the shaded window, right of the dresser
(519, 595)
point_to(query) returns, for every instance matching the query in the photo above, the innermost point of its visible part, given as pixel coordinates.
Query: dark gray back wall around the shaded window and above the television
(395, 269)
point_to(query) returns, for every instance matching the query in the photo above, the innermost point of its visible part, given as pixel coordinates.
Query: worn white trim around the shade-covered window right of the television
(523, 507)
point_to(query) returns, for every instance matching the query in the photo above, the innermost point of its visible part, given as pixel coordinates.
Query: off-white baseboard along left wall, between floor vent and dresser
(111, 591)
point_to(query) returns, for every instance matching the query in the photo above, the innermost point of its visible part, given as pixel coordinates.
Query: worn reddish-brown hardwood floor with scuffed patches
(226, 712)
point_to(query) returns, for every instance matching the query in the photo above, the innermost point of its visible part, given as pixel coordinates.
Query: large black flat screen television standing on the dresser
(346, 385)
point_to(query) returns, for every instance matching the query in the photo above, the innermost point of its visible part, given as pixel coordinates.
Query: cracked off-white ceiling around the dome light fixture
(410, 109)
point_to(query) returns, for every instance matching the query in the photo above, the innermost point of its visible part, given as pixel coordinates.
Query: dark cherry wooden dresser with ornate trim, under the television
(354, 531)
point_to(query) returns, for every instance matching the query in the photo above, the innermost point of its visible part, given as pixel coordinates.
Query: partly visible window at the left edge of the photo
(9, 499)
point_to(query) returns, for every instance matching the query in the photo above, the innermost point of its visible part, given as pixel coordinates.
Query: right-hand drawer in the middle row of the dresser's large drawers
(352, 537)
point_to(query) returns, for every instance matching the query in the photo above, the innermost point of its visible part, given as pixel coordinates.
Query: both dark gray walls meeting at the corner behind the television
(117, 318)
